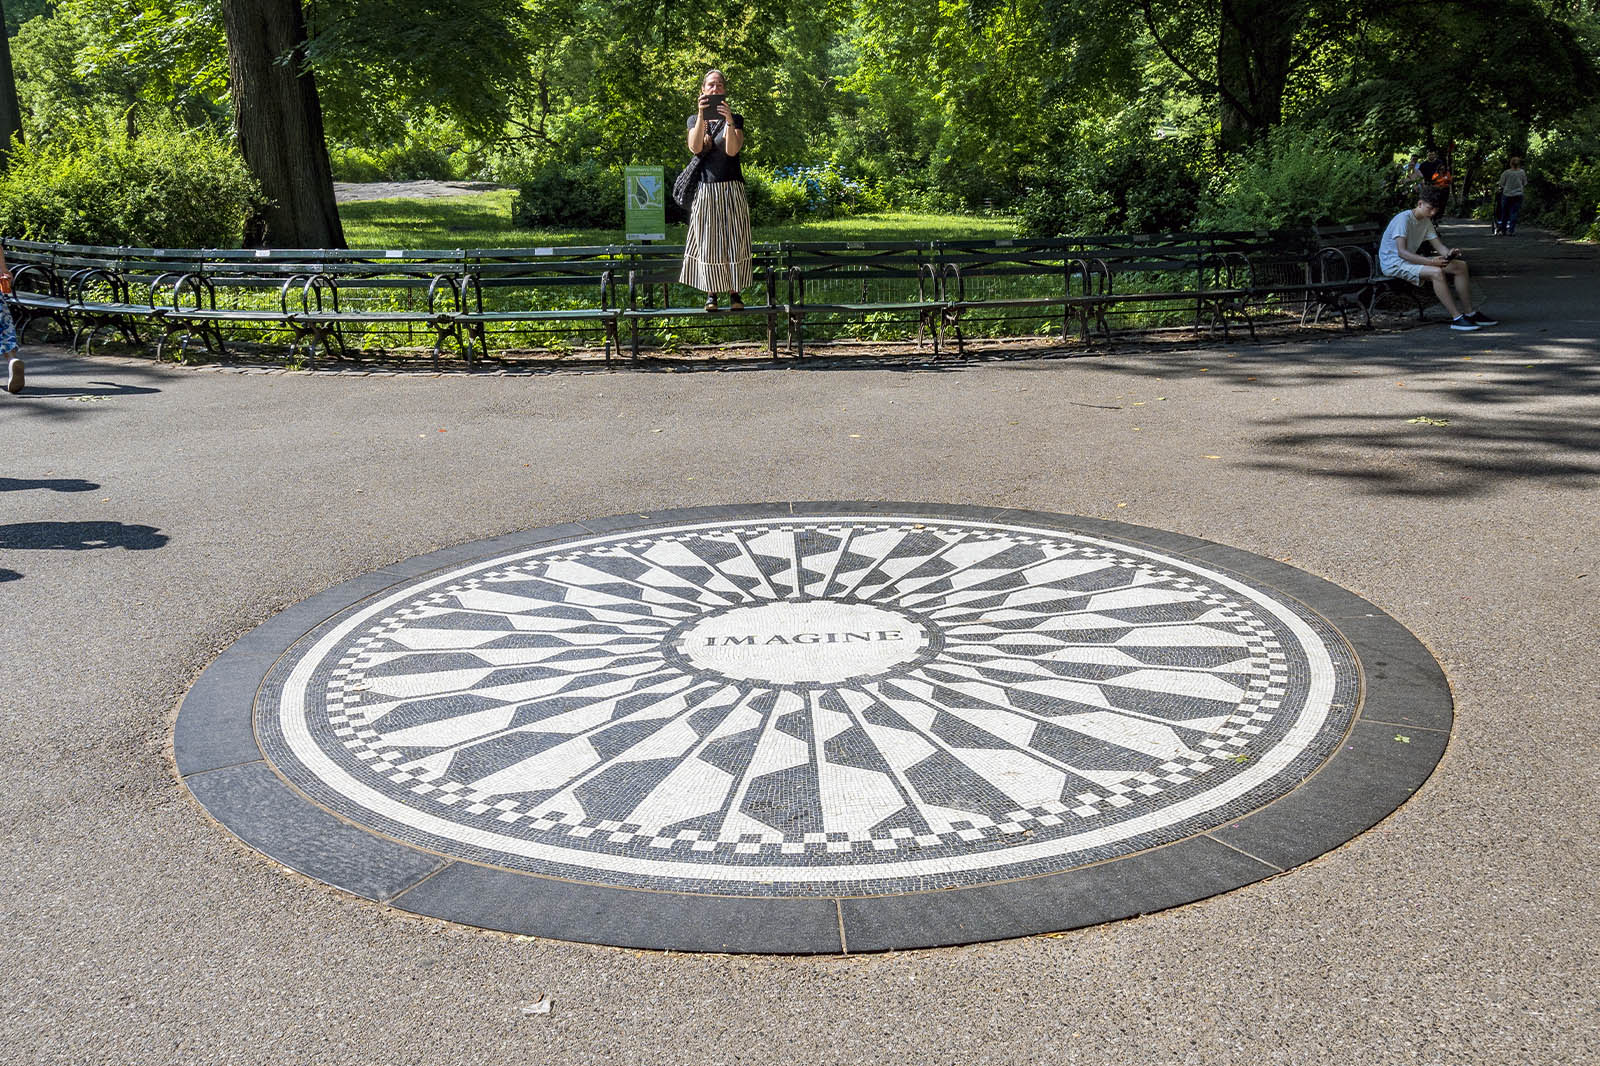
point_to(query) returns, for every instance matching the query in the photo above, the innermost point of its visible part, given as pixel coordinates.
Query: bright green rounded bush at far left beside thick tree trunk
(169, 188)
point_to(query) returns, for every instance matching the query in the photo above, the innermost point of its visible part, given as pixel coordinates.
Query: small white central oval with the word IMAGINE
(809, 641)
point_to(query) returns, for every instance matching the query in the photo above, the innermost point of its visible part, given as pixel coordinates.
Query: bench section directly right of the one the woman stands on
(862, 279)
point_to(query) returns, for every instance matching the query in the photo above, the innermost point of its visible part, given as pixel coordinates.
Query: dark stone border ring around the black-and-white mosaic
(1396, 740)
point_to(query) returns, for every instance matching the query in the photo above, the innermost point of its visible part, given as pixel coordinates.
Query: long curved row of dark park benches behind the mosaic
(332, 302)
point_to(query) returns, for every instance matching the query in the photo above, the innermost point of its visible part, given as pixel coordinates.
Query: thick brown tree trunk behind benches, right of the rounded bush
(279, 122)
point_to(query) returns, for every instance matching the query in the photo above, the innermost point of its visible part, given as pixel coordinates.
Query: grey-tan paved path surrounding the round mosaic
(150, 516)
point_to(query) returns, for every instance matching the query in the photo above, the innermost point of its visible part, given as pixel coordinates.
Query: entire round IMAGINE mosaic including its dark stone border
(814, 727)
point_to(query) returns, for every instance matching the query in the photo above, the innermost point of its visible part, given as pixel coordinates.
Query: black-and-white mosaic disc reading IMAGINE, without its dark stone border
(817, 707)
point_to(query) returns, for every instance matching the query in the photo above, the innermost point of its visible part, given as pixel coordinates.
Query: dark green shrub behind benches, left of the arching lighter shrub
(1121, 178)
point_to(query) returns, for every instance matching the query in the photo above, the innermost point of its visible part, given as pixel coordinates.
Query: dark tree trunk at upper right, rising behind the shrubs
(1255, 44)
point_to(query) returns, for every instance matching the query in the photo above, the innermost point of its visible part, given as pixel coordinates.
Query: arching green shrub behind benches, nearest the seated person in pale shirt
(1294, 180)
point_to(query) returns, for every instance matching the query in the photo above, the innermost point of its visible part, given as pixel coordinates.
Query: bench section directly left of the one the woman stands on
(518, 287)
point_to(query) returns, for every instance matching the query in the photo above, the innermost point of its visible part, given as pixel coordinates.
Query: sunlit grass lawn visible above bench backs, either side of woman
(484, 222)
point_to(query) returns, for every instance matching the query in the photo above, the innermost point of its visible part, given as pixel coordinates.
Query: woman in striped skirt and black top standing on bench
(718, 254)
